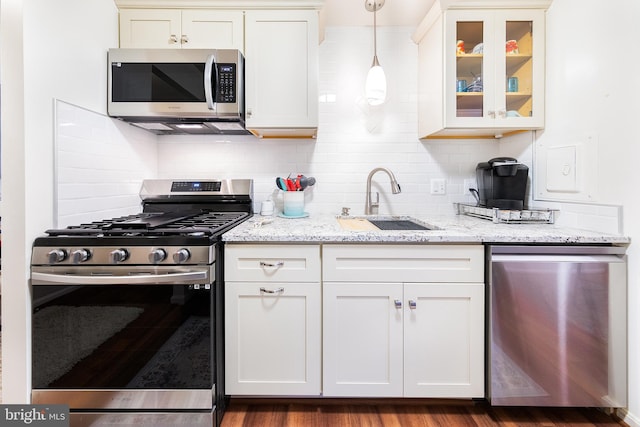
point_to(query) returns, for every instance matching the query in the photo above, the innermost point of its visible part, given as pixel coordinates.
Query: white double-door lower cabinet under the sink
(408, 338)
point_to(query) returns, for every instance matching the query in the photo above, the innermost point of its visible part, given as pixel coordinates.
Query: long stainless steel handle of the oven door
(136, 279)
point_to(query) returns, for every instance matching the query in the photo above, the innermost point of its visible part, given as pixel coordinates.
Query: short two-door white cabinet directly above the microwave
(181, 29)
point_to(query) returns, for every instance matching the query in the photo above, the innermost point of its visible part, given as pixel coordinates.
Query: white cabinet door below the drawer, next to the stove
(272, 338)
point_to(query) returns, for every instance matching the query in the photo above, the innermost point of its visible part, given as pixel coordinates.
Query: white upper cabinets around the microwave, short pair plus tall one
(280, 45)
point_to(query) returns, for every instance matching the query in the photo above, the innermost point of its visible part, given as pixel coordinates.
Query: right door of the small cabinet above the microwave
(212, 29)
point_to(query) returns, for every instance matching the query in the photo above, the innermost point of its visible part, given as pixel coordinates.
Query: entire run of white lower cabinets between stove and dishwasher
(369, 320)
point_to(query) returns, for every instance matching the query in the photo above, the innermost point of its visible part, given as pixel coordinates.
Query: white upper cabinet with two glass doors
(481, 72)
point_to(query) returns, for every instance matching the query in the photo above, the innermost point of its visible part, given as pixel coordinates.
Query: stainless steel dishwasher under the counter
(557, 326)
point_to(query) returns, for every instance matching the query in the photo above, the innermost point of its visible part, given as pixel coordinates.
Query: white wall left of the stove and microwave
(50, 50)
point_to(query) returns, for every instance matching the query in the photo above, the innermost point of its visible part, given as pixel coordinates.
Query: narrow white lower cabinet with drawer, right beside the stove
(273, 320)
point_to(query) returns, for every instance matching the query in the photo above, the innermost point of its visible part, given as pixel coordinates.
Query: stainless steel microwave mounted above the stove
(183, 91)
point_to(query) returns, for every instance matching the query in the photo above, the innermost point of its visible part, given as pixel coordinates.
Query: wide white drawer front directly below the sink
(403, 263)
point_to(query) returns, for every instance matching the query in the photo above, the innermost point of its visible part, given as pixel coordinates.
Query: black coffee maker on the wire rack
(502, 183)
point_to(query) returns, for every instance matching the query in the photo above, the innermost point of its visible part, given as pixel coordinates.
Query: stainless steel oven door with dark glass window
(132, 339)
